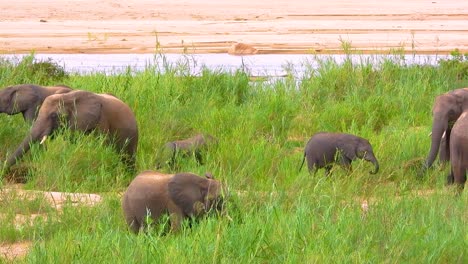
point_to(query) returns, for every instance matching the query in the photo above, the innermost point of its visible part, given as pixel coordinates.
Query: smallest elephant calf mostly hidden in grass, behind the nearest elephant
(187, 147)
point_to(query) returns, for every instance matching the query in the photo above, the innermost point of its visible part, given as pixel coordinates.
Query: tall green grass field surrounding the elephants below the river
(276, 214)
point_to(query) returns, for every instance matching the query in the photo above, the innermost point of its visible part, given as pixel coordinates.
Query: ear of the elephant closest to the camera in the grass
(188, 192)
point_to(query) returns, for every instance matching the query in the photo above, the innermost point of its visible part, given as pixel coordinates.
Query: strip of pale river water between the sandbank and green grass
(257, 65)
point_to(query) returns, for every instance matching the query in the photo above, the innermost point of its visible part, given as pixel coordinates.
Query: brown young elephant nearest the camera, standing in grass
(181, 196)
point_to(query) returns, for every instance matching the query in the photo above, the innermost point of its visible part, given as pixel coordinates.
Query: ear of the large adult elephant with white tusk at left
(83, 109)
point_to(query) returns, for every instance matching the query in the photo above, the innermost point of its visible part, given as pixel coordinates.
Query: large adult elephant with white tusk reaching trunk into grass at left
(84, 111)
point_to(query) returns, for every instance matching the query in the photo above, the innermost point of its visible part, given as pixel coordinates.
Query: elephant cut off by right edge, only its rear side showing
(459, 151)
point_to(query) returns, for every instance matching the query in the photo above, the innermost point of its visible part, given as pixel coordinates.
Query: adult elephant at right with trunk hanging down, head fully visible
(446, 110)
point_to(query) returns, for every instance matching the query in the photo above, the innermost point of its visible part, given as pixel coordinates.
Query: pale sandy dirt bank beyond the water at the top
(207, 26)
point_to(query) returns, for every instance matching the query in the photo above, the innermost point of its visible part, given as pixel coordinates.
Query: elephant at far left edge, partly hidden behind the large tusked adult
(27, 99)
